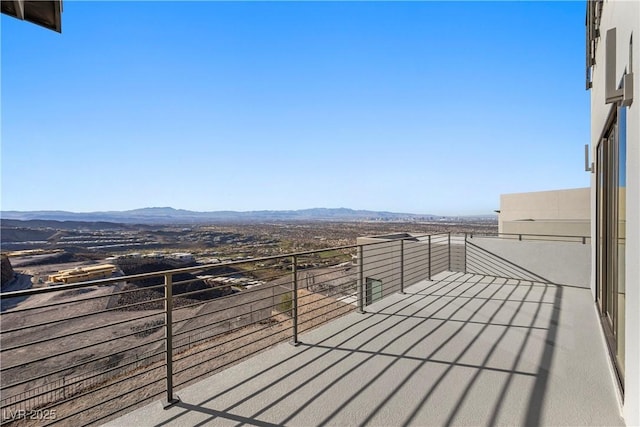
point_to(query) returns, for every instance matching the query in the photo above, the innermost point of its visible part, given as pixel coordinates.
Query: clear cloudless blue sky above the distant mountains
(421, 107)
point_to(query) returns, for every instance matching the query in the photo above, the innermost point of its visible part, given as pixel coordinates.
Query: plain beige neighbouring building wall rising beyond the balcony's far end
(558, 212)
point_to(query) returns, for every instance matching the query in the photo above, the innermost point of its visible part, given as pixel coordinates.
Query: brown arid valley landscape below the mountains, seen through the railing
(222, 313)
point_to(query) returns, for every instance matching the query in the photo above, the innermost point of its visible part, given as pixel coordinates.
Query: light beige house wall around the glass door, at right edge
(622, 15)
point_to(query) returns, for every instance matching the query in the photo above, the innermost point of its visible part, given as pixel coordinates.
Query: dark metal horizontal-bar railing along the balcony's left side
(83, 353)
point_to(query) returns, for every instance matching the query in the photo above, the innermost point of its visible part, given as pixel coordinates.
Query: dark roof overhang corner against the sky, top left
(46, 13)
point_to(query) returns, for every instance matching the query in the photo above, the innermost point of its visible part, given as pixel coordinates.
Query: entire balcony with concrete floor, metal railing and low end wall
(419, 330)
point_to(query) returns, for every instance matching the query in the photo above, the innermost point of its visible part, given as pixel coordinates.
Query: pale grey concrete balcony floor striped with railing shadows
(461, 349)
